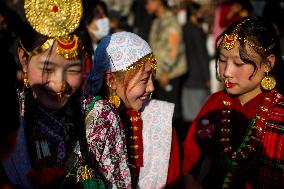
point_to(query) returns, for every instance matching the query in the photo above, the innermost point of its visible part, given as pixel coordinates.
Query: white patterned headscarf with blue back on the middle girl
(115, 52)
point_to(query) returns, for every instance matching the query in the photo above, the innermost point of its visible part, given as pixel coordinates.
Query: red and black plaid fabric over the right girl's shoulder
(271, 164)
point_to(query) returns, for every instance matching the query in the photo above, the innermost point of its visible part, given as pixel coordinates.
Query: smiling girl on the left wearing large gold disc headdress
(50, 147)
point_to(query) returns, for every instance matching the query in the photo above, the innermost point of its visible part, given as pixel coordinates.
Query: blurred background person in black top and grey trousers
(196, 82)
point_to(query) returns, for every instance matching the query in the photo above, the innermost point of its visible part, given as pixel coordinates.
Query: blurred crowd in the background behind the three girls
(182, 34)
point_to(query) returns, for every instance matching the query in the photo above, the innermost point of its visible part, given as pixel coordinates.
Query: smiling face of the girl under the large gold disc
(53, 78)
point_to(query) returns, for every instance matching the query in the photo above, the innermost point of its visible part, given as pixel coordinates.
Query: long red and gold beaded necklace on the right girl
(251, 140)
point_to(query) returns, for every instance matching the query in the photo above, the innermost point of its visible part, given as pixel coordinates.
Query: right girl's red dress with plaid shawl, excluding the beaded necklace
(203, 139)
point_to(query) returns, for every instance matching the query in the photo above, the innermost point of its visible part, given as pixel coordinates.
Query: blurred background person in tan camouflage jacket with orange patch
(166, 40)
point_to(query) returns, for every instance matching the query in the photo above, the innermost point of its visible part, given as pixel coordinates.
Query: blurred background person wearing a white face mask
(95, 23)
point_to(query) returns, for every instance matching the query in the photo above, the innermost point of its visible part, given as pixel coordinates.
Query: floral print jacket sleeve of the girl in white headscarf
(107, 143)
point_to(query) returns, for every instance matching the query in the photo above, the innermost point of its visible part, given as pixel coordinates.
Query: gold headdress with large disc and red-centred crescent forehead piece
(55, 19)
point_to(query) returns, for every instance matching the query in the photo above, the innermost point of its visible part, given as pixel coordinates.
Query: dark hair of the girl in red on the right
(263, 36)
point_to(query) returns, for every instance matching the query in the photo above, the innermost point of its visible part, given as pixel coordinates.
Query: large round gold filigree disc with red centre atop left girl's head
(54, 18)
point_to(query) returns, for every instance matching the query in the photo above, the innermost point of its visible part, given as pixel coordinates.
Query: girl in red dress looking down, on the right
(240, 129)
